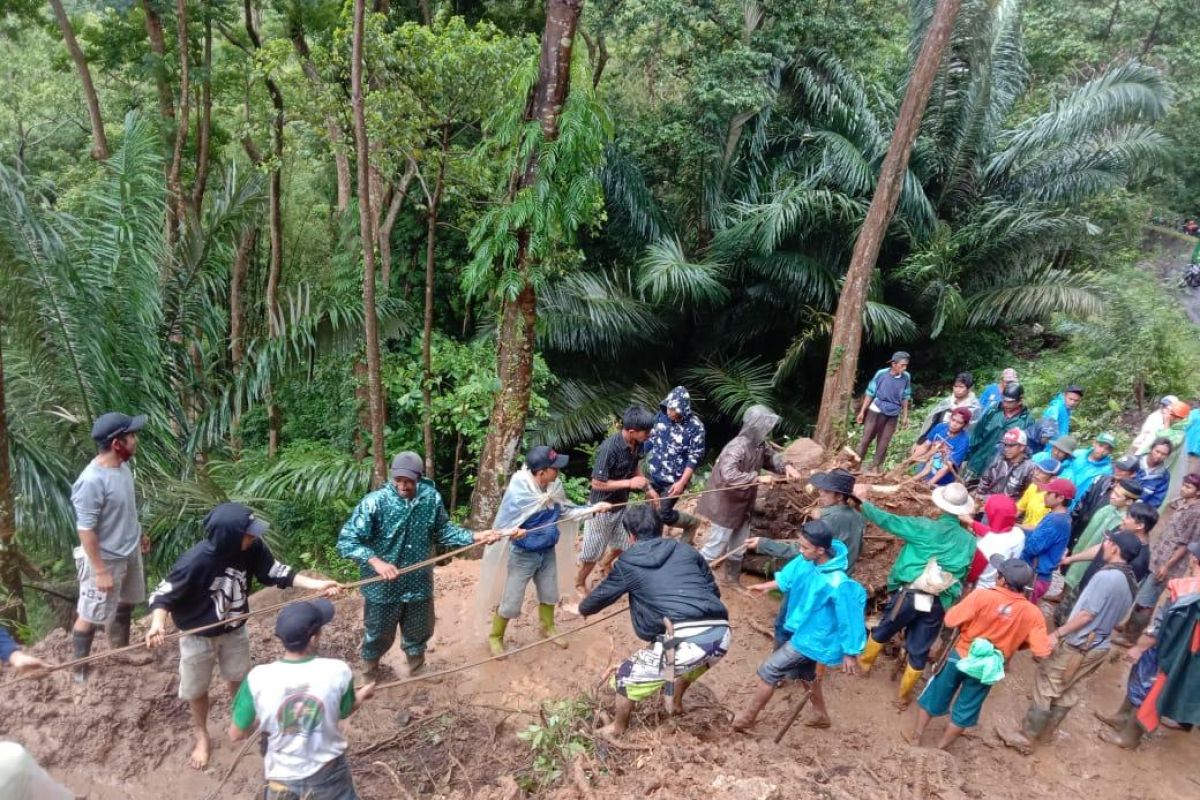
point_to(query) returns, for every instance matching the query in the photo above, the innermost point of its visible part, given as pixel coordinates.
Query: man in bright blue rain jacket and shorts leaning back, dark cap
(825, 616)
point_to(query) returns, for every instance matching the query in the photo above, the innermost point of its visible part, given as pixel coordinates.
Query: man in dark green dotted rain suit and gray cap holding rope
(394, 527)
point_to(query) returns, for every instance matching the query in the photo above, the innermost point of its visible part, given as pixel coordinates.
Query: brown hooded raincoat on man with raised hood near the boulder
(739, 465)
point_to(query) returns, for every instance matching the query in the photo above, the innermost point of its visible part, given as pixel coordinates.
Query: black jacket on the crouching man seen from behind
(664, 578)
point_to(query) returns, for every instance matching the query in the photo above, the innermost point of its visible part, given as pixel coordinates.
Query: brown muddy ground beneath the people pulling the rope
(125, 736)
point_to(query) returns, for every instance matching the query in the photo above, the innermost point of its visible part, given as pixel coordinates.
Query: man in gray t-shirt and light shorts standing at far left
(109, 560)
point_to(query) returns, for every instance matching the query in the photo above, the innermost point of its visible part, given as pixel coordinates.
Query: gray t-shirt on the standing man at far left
(104, 502)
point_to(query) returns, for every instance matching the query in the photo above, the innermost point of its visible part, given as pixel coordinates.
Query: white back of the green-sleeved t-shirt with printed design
(298, 705)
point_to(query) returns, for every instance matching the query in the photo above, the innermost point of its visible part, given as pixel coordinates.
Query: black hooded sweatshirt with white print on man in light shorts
(211, 581)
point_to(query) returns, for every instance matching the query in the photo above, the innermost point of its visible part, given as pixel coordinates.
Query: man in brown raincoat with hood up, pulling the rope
(739, 466)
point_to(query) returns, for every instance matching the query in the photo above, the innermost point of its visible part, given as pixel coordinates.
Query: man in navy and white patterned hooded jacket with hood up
(673, 455)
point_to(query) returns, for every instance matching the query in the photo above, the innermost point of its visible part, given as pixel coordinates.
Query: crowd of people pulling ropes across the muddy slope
(1033, 542)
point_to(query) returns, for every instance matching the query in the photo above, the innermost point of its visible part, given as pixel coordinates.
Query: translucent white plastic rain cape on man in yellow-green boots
(523, 500)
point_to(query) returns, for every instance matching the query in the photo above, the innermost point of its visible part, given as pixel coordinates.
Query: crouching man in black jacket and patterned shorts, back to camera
(664, 580)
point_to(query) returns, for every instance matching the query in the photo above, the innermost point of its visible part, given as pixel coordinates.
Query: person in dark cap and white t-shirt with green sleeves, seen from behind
(298, 702)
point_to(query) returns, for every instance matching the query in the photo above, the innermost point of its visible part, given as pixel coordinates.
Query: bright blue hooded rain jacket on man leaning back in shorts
(825, 607)
